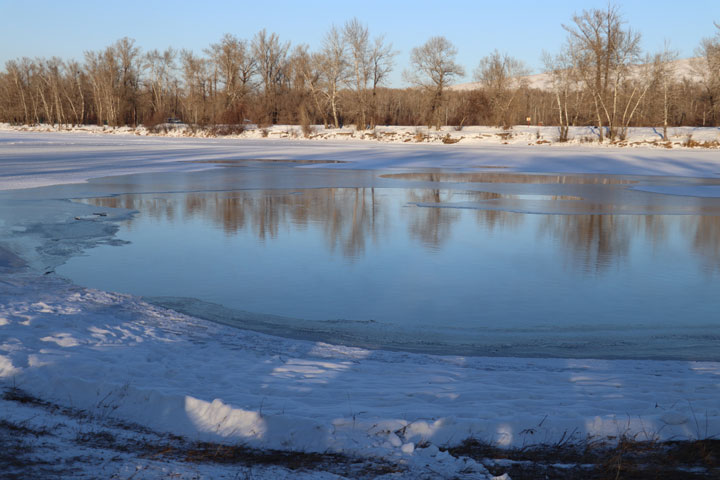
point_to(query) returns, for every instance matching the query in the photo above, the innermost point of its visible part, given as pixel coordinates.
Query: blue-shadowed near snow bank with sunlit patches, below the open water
(115, 355)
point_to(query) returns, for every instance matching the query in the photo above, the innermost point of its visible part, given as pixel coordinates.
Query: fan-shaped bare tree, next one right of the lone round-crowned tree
(501, 77)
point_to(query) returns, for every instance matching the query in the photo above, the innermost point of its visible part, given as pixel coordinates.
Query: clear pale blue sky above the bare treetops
(522, 28)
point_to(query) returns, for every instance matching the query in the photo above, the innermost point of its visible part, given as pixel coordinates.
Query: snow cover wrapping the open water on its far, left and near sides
(115, 356)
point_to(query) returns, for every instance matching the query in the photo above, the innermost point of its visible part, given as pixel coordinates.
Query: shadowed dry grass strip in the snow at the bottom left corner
(22, 456)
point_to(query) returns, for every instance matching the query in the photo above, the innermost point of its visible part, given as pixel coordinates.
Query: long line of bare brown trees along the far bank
(600, 77)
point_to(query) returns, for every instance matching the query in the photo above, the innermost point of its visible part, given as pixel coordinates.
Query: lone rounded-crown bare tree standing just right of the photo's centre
(434, 69)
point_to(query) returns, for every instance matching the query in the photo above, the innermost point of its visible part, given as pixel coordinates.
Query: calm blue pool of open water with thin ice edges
(486, 263)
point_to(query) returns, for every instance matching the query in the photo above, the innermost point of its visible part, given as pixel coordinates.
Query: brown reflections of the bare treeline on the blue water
(350, 217)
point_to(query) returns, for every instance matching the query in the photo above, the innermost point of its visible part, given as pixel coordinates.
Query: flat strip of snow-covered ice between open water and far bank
(29, 159)
